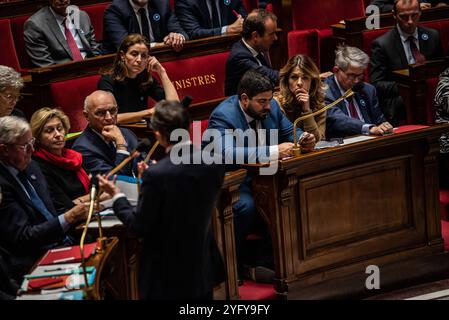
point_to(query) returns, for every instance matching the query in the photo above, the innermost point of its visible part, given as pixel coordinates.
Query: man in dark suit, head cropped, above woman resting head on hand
(153, 19)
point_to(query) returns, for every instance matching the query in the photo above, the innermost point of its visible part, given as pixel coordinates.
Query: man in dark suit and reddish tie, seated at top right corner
(405, 44)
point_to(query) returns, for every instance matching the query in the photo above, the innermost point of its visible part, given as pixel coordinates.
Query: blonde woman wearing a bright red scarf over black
(62, 167)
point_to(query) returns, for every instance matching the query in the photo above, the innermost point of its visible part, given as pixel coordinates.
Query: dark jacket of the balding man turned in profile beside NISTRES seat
(241, 60)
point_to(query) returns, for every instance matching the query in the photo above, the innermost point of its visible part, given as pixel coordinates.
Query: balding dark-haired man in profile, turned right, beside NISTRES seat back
(251, 52)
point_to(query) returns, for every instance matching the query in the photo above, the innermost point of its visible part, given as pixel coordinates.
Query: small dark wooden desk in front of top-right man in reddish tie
(415, 92)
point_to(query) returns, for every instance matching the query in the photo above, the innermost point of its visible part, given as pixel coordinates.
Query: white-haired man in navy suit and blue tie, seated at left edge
(29, 223)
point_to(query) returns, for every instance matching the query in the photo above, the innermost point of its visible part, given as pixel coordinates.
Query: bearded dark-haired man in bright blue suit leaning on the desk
(253, 108)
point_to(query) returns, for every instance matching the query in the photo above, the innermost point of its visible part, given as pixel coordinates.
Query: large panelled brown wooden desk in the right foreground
(333, 212)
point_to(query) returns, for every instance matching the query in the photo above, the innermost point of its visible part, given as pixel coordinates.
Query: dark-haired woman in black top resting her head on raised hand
(131, 82)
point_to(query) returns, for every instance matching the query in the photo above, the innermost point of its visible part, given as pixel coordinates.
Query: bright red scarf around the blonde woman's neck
(70, 160)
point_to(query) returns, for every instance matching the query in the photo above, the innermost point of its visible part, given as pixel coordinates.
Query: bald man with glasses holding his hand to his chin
(103, 144)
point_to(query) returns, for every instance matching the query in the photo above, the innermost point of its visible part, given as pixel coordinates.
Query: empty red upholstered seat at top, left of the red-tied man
(320, 15)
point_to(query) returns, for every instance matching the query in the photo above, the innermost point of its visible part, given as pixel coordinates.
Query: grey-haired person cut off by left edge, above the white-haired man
(10, 85)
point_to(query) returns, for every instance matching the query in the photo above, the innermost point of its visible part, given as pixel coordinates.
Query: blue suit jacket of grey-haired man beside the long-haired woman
(338, 121)
